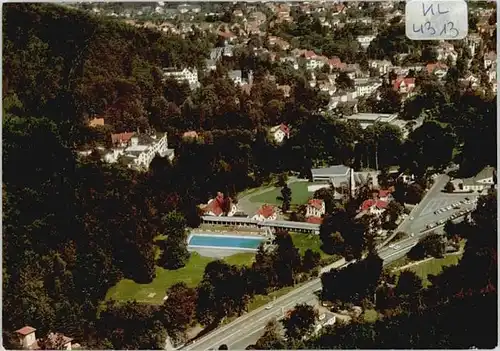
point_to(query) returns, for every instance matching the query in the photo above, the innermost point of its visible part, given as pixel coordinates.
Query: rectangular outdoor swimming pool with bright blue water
(249, 243)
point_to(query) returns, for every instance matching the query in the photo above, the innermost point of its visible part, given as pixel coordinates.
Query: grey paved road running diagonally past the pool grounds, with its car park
(248, 328)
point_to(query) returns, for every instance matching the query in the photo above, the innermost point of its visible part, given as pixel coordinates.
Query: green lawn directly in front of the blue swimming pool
(191, 274)
